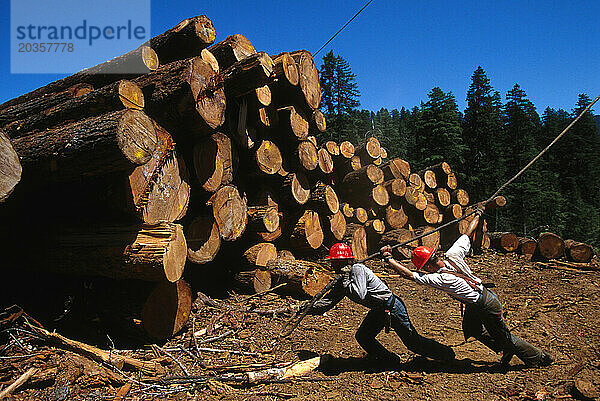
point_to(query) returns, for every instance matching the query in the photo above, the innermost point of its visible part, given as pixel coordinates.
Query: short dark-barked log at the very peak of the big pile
(186, 39)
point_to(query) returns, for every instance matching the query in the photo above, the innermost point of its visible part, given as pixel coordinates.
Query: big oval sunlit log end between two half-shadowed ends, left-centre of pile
(230, 212)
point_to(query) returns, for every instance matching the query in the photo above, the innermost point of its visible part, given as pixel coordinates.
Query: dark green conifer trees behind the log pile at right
(487, 143)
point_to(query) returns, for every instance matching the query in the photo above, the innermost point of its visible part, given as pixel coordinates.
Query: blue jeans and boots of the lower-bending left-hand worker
(374, 322)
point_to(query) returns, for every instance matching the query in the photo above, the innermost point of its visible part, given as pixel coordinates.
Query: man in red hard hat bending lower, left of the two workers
(362, 286)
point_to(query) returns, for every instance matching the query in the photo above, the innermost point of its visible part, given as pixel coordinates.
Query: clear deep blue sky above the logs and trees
(401, 50)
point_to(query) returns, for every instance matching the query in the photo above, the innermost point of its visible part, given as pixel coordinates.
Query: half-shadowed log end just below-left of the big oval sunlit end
(203, 239)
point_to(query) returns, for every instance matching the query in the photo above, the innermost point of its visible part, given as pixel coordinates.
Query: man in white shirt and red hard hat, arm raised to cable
(483, 313)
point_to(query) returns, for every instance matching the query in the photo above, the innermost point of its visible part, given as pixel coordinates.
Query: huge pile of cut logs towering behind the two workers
(208, 157)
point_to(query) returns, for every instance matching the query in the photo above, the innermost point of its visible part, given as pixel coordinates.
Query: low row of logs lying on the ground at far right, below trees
(548, 246)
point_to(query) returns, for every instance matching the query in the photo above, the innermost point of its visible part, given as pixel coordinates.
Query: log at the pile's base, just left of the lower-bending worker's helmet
(302, 278)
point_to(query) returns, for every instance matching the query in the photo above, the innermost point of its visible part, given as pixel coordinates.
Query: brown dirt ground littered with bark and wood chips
(557, 310)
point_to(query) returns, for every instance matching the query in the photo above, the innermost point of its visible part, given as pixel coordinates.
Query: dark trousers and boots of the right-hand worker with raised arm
(484, 321)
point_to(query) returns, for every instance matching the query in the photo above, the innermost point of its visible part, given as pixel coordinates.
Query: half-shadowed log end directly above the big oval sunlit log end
(213, 162)
